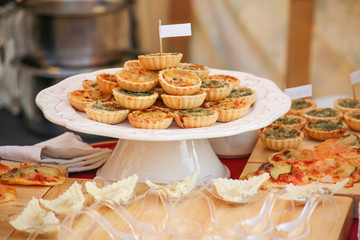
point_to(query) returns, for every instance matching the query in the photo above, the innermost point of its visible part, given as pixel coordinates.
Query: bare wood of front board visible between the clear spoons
(151, 210)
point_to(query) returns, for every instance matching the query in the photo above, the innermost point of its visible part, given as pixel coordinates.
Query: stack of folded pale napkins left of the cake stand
(66, 149)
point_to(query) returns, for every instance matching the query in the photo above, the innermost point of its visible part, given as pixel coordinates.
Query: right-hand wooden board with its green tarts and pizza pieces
(316, 144)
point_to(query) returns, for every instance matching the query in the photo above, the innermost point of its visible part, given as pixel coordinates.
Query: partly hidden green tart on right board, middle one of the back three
(318, 114)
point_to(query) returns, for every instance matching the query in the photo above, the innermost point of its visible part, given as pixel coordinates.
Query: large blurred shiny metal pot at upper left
(76, 33)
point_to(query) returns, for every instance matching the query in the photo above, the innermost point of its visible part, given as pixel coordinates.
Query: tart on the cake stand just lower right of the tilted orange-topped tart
(216, 90)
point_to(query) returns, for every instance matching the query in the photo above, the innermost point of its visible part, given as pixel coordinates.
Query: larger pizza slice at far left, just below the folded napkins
(33, 174)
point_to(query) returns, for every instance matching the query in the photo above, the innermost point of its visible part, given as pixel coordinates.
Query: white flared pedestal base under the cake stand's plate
(162, 161)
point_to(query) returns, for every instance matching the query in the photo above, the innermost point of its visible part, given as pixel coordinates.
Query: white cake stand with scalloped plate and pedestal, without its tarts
(164, 154)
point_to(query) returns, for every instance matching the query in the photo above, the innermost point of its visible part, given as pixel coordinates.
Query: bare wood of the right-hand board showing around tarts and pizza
(261, 154)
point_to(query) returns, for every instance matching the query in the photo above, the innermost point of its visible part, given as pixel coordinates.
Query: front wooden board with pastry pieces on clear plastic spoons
(127, 209)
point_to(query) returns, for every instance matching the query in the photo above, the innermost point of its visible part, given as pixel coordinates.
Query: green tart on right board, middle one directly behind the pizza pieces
(325, 129)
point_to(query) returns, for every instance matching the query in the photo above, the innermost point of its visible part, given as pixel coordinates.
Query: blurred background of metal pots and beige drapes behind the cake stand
(291, 42)
